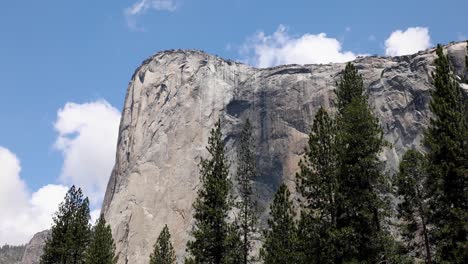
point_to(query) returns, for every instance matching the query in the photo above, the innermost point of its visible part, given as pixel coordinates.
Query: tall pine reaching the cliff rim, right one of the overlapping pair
(360, 210)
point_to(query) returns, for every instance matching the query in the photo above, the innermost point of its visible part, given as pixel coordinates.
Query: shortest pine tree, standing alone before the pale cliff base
(163, 251)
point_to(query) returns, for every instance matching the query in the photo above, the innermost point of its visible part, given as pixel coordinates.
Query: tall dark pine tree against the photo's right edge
(447, 142)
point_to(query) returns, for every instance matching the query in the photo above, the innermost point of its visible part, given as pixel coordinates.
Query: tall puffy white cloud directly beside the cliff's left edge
(87, 138)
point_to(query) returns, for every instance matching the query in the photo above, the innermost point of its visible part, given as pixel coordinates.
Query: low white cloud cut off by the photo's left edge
(23, 213)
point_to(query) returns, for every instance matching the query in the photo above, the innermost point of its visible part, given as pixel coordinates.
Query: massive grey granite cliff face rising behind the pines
(175, 97)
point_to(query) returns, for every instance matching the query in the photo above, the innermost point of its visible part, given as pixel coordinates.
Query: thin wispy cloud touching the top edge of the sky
(142, 6)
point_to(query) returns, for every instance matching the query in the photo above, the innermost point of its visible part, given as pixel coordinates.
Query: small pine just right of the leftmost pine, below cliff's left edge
(101, 249)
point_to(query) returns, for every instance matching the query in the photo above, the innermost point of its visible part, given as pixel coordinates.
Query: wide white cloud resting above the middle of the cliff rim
(264, 50)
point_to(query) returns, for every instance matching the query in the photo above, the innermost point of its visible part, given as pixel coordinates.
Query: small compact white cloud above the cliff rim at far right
(407, 42)
